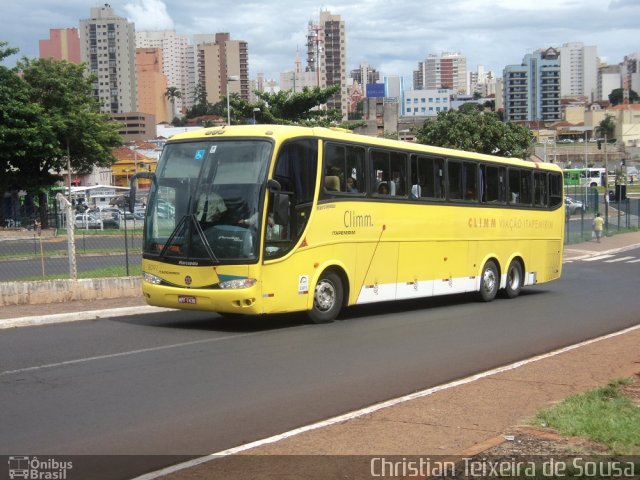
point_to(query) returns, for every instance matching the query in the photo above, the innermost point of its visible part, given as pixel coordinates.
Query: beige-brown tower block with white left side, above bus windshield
(219, 58)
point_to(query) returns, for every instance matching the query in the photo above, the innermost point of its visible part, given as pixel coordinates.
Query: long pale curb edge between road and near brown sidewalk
(374, 408)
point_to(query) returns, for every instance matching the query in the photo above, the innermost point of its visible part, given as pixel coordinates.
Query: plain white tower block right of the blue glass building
(579, 71)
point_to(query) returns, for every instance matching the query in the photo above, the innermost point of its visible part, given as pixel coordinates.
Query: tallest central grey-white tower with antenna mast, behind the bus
(326, 56)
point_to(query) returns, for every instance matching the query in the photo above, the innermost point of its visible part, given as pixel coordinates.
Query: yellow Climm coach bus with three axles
(263, 219)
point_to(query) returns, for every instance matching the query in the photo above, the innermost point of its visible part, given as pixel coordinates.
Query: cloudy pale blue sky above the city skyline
(391, 36)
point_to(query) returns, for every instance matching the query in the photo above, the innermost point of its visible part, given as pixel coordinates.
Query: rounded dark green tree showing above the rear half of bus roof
(476, 131)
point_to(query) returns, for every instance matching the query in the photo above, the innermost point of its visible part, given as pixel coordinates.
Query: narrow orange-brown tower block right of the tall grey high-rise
(152, 84)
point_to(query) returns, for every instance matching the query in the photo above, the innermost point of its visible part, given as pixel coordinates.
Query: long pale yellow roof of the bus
(284, 132)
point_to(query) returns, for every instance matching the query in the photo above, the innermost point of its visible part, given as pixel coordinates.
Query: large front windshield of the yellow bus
(206, 203)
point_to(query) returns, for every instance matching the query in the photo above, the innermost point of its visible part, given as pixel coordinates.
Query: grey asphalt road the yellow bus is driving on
(190, 384)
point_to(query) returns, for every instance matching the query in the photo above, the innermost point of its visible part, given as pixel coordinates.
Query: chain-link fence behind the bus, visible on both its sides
(30, 254)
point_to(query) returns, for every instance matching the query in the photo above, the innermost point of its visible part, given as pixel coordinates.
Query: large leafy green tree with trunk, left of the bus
(71, 125)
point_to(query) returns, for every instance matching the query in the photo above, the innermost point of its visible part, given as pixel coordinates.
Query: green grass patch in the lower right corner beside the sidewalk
(604, 415)
